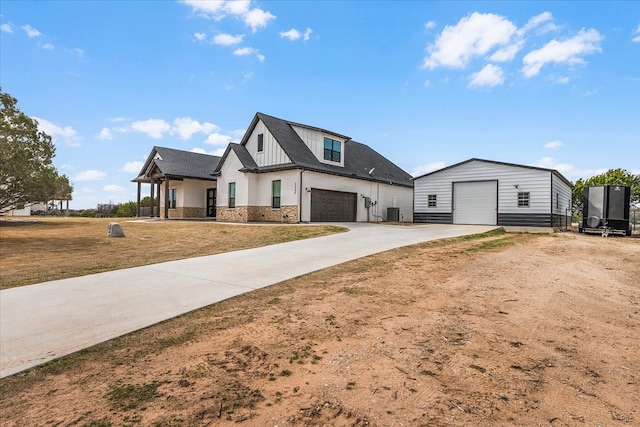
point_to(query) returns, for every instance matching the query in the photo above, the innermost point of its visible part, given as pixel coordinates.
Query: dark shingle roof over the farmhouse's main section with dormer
(359, 159)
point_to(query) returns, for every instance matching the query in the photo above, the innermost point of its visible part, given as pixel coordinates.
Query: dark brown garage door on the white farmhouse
(332, 206)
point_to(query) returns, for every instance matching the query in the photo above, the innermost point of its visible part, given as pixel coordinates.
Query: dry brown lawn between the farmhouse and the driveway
(34, 251)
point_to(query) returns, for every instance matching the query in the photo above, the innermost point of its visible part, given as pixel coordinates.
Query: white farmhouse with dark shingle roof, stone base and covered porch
(281, 171)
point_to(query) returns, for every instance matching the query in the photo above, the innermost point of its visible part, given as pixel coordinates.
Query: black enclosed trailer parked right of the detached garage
(606, 210)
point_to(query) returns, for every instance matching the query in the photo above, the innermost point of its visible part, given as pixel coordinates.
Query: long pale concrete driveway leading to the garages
(42, 322)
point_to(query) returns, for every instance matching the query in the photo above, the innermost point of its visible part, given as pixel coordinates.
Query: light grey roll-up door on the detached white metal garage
(475, 202)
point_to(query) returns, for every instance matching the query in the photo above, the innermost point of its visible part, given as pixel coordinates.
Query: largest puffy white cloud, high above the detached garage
(474, 35)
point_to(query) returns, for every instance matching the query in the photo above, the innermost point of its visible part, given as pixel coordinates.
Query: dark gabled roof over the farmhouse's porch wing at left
(179, 164)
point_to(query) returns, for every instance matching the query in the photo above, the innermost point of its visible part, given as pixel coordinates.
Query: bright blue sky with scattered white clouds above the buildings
(426, 84)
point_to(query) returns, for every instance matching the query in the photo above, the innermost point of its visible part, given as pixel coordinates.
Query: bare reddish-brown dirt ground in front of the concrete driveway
(515, 329)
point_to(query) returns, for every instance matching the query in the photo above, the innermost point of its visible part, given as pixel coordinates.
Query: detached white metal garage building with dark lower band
(487, 192)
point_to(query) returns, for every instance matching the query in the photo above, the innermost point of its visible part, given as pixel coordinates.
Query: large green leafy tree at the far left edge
(27, 174)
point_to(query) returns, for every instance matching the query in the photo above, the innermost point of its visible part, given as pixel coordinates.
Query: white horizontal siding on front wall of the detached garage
(512, 179)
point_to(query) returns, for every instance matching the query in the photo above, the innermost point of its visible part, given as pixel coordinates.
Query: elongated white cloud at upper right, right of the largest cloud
(569, 51)
